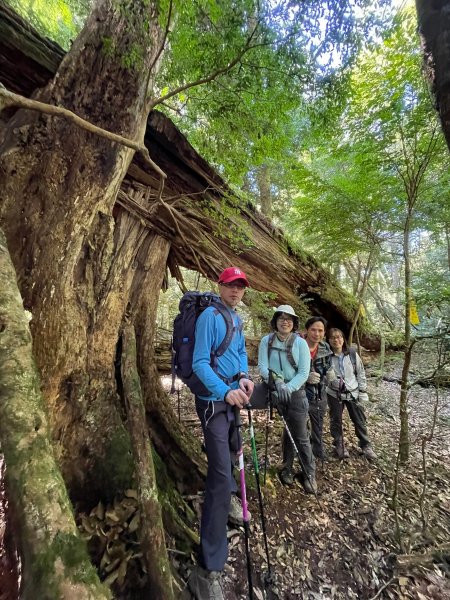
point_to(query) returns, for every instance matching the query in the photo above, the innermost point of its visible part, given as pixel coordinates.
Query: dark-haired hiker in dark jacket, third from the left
(320, 354)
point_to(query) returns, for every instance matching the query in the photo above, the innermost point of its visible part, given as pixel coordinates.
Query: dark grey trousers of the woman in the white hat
(297, 420)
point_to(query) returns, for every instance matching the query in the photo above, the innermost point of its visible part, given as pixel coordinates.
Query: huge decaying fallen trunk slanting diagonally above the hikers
(214, 228)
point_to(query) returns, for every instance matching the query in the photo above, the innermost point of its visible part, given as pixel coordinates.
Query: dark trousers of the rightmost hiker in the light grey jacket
(356, 412)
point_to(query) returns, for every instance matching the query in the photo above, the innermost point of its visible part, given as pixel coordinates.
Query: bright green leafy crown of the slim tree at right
(381, 153)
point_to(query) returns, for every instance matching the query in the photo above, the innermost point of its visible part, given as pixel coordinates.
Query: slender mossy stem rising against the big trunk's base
(151, 532)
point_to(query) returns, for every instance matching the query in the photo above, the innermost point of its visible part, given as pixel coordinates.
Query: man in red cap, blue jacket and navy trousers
(229, 387)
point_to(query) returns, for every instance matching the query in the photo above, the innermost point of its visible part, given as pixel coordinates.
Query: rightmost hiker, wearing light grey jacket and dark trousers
(347, 387)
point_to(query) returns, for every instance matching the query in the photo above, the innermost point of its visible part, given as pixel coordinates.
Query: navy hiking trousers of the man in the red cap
(220, 434)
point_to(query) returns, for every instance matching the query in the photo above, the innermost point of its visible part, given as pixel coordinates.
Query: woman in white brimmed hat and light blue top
(284, 362)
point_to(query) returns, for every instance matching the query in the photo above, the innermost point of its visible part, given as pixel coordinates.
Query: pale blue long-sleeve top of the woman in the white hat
(279, 362)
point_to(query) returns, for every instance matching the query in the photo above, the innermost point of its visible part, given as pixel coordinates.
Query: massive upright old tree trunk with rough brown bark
(73, 261)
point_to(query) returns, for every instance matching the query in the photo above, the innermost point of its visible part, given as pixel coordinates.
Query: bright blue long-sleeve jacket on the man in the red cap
(210, 330)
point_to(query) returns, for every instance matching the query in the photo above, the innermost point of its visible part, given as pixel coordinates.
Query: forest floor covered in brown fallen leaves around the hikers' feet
(344, 546)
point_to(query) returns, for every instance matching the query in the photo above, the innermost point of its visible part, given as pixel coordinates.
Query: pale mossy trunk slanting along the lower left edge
(55, 559)
